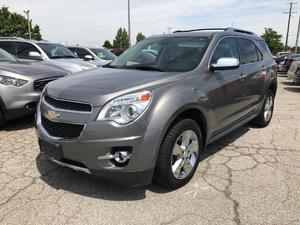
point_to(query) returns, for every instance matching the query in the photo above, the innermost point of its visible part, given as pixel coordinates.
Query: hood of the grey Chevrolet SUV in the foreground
(101, 85)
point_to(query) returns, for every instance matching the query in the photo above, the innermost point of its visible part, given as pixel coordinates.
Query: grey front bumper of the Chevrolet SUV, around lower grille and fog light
(100, 138)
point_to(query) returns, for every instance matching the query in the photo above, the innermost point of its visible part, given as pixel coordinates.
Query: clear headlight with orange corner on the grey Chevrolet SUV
(126, 108)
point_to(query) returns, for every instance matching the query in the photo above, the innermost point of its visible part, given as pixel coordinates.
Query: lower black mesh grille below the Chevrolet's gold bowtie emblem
(61, 130)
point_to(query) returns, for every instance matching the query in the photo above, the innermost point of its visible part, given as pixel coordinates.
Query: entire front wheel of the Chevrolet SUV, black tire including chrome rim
(187, 159)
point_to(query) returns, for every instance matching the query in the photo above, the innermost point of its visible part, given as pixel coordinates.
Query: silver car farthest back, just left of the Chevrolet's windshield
(98, 56)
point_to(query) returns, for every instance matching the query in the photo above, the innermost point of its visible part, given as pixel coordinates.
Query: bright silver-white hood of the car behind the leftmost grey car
(70, 65)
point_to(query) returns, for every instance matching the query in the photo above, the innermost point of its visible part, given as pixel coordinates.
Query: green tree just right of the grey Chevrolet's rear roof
(273, 40)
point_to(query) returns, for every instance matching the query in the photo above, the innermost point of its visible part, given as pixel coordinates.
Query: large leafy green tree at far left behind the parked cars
(16, 25)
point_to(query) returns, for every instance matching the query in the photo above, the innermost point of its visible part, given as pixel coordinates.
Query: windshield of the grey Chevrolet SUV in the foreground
(169, 54)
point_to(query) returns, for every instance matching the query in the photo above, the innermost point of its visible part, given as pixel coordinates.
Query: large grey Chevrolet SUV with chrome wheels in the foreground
(143, 119)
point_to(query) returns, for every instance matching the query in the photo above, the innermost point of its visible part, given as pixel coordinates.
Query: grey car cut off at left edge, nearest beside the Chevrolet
(21, 84)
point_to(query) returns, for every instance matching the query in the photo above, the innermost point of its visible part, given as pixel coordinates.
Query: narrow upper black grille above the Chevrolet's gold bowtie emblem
(68, 105)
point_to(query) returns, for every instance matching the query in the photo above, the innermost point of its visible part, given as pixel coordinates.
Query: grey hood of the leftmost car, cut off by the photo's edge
(31, 69)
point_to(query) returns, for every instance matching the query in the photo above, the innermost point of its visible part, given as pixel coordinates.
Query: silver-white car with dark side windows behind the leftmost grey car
(49, 53)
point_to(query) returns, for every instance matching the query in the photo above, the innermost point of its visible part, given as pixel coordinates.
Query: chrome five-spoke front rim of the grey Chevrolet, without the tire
(185, 154)
